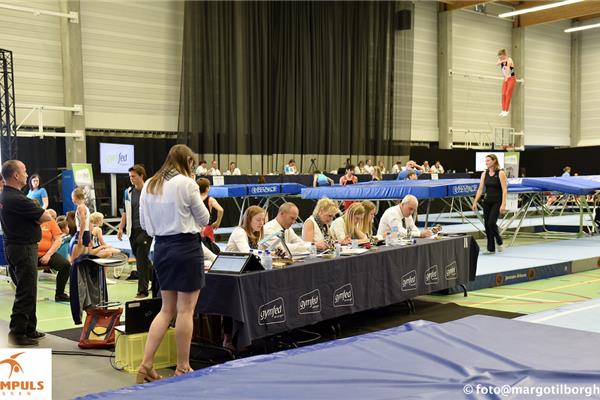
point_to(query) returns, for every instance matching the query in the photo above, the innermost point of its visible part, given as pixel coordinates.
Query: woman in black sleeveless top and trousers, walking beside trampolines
(493, 179)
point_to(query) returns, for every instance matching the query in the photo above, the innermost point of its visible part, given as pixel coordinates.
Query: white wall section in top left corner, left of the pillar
(37, 58)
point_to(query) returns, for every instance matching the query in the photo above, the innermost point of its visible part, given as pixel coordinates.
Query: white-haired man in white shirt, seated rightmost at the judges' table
(401, 216)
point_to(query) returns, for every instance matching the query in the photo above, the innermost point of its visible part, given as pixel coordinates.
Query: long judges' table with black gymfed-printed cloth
(265, 303)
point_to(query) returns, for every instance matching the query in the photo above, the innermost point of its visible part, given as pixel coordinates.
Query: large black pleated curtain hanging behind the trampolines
(268, 78)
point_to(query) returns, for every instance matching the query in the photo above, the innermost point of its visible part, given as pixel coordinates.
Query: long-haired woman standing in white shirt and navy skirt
(172, 211)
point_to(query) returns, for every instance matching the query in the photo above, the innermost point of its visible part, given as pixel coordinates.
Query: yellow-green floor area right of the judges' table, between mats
(531, 297)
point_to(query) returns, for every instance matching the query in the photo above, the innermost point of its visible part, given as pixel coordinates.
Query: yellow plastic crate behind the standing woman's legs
(129, 350)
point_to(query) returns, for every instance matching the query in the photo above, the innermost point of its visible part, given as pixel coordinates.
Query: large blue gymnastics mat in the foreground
(415, 361)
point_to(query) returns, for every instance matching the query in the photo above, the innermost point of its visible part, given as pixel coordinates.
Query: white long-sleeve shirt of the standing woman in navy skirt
(178, 209)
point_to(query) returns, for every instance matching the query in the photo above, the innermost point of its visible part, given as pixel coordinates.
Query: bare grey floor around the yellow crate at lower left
(74, 376)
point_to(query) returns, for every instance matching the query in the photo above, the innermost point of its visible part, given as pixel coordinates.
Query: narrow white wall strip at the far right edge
(590, 87)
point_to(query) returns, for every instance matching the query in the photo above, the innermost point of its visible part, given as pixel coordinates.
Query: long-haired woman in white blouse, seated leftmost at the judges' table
(250, 232)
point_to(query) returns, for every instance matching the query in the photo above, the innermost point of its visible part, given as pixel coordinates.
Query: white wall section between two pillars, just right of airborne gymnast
(547, 85)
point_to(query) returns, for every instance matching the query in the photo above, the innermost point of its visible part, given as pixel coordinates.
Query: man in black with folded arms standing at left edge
(21, 218)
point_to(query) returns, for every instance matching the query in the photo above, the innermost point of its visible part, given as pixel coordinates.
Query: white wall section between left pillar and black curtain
(132, 64)
